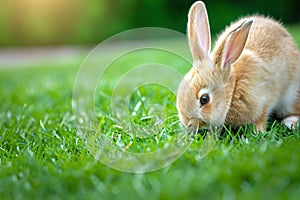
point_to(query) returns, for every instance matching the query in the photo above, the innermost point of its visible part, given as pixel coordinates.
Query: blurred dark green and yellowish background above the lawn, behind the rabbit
(76, 22)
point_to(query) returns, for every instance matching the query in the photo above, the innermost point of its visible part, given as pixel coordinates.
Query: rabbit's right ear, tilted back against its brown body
(235, 43)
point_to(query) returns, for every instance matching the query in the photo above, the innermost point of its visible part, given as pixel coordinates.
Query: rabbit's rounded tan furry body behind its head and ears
(267, 72)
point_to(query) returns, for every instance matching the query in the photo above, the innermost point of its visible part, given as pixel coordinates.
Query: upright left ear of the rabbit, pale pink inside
(198, 31)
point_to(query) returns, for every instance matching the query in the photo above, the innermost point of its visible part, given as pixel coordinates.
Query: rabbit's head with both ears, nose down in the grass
(204, 95)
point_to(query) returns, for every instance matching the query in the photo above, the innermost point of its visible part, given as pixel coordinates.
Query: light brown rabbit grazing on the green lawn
(252, 72)
